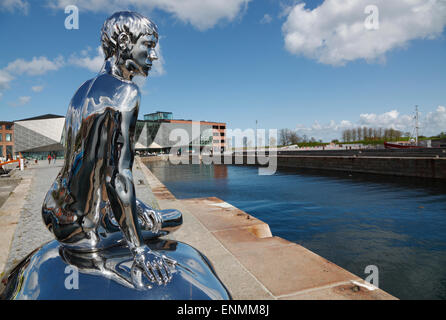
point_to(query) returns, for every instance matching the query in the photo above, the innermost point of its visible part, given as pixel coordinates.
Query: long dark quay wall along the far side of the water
(423, 163)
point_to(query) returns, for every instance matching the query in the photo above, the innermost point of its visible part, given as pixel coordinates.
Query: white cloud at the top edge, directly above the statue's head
(202, 14)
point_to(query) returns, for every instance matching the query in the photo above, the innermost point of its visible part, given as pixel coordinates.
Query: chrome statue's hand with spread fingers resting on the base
(154, 266)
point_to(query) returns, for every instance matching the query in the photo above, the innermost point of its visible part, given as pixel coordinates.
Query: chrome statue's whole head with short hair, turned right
(130, 39)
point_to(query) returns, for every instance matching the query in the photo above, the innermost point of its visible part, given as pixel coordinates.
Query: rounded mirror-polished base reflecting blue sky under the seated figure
(53, 272)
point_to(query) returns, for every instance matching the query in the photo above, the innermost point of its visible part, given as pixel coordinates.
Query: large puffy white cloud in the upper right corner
(335, 32)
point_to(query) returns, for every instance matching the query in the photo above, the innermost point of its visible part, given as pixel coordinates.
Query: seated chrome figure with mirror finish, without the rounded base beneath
(91, 205)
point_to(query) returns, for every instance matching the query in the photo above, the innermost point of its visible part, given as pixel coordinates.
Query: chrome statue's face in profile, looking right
(143, 53)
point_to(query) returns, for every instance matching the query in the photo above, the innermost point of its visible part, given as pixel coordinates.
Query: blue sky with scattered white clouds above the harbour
(287, 64)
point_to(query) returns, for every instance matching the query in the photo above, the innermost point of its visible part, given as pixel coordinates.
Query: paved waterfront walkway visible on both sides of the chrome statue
(248, 259)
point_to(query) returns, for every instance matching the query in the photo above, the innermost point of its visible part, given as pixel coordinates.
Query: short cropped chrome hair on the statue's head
(132, 23)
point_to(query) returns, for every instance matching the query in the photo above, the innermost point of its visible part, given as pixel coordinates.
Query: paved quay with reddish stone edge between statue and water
(253, 263)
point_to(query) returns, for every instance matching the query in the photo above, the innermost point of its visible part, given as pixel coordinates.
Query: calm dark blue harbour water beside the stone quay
(353, 220)
